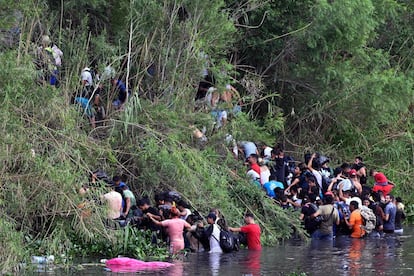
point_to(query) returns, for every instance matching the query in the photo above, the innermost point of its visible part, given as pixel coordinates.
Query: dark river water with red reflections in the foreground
(392, 255)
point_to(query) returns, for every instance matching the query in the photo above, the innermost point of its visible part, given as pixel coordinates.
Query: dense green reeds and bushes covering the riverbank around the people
(331, 76)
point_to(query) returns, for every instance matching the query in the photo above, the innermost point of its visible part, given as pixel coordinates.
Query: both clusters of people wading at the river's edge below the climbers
(329, 201)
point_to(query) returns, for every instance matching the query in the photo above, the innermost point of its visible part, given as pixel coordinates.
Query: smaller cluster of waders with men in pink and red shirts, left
(170, 219)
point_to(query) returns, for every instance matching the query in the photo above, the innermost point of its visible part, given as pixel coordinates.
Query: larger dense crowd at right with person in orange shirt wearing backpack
(332, 201)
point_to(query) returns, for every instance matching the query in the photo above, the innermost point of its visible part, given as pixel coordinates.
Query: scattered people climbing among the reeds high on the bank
(96, 87)
